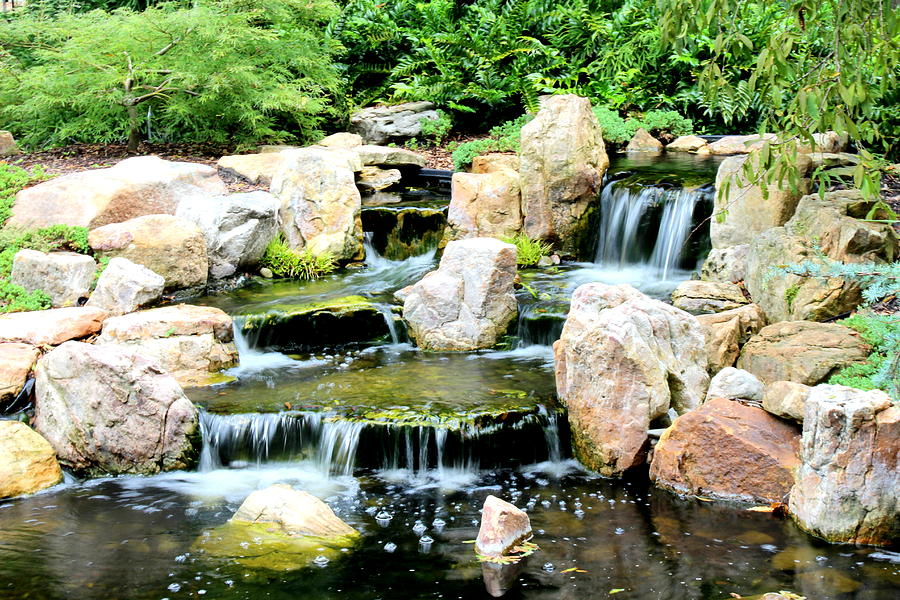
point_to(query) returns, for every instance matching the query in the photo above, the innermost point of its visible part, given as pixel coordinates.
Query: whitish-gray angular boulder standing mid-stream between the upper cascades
(468, 302)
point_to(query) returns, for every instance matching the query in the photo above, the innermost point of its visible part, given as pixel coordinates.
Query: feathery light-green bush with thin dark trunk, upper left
(225, 72)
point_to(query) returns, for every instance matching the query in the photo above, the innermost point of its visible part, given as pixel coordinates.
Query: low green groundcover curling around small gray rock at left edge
(14, 298)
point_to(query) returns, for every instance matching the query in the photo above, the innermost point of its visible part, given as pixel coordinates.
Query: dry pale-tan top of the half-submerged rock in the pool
(292, 513)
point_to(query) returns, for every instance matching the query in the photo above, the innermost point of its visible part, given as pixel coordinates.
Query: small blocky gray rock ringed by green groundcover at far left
(65, 276)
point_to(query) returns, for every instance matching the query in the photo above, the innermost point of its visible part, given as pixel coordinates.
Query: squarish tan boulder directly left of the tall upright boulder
(484, 205)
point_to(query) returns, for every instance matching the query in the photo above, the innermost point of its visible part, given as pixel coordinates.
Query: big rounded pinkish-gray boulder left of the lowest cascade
(108, 410)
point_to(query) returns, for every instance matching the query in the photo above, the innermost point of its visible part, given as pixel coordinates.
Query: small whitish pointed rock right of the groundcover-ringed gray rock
(124, 287)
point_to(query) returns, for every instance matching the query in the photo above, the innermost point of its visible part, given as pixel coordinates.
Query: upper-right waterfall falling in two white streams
(646, 224)
